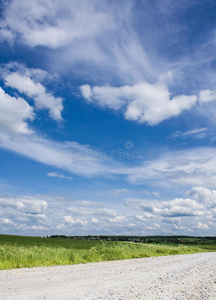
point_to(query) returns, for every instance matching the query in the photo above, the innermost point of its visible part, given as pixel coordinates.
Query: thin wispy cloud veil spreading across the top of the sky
(105, 34)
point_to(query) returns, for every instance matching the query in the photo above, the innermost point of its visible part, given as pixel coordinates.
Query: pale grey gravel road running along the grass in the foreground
(191, 276)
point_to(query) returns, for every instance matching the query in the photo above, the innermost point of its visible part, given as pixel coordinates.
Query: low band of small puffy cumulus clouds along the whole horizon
(48, 213)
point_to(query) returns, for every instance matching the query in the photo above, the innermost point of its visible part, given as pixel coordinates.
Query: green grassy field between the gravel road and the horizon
(20, 252)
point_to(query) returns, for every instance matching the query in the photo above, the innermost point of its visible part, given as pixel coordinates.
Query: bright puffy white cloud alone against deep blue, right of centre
(144, 102)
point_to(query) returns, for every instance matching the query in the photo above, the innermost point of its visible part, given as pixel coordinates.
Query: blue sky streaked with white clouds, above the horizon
(107, 117)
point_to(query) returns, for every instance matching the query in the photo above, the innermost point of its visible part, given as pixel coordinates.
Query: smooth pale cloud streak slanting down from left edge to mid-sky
(70, 156)
